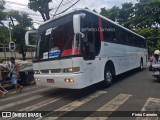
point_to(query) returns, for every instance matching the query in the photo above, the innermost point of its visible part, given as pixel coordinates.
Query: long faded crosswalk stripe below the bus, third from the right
(69, 107)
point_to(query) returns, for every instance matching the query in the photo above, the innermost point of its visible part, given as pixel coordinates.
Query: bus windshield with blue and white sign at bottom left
(57, 42)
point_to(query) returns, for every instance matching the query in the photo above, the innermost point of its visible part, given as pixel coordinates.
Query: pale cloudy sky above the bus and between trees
(21, 5)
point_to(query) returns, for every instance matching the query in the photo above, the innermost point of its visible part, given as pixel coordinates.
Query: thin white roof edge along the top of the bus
(59, 16)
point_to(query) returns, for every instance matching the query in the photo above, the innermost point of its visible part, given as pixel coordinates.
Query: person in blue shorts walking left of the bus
(14, 73)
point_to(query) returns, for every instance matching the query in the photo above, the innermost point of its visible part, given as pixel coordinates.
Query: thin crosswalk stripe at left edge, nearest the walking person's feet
(25, 94)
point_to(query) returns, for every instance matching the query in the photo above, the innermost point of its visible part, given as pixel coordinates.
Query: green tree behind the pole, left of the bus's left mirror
(19, 30)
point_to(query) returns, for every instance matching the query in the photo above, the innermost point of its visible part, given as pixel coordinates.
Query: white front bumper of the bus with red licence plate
(70, 80)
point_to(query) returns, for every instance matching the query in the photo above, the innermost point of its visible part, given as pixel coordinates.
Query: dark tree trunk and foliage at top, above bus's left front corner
(42, 6)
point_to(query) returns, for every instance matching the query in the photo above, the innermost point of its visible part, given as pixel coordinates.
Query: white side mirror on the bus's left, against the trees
(27, 37)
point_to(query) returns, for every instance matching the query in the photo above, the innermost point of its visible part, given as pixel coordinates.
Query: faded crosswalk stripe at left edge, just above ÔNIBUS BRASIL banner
(20, 102)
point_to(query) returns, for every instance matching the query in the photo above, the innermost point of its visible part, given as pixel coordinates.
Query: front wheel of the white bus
(108, 77)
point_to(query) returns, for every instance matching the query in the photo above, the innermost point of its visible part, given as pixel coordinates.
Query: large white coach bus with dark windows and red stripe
(82, 48)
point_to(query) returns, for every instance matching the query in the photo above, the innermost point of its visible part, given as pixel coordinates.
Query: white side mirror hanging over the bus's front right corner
(77, 23)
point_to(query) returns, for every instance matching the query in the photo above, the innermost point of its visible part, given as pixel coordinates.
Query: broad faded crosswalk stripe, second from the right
(110, 106)
